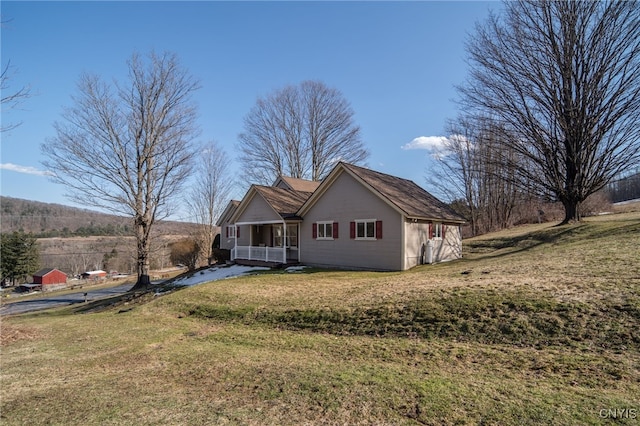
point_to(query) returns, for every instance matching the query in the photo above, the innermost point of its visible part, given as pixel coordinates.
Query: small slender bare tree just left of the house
(209, 194)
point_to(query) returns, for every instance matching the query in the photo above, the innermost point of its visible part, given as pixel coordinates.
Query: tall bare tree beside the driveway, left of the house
(128, 148)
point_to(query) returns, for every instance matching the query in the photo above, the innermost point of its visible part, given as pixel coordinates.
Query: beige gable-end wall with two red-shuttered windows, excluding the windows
(345, 201)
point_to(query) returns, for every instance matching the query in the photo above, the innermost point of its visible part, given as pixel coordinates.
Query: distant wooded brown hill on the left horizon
(57, 220)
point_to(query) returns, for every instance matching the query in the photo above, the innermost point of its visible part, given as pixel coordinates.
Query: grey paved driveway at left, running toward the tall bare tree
(54, 301)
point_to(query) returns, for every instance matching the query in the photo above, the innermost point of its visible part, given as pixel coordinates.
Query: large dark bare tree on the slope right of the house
(563, 78)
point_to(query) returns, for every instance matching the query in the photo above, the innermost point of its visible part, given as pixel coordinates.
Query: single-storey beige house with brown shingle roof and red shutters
(356, 218)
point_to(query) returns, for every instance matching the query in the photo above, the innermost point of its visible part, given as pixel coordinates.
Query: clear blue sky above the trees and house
(396, 63)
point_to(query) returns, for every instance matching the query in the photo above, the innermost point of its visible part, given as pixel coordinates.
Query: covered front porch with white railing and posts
(271, 242)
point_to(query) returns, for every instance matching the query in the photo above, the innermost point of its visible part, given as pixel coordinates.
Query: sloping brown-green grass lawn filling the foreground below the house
(536, 325)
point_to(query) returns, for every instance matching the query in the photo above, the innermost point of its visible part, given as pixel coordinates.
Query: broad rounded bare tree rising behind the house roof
(299, 131)
